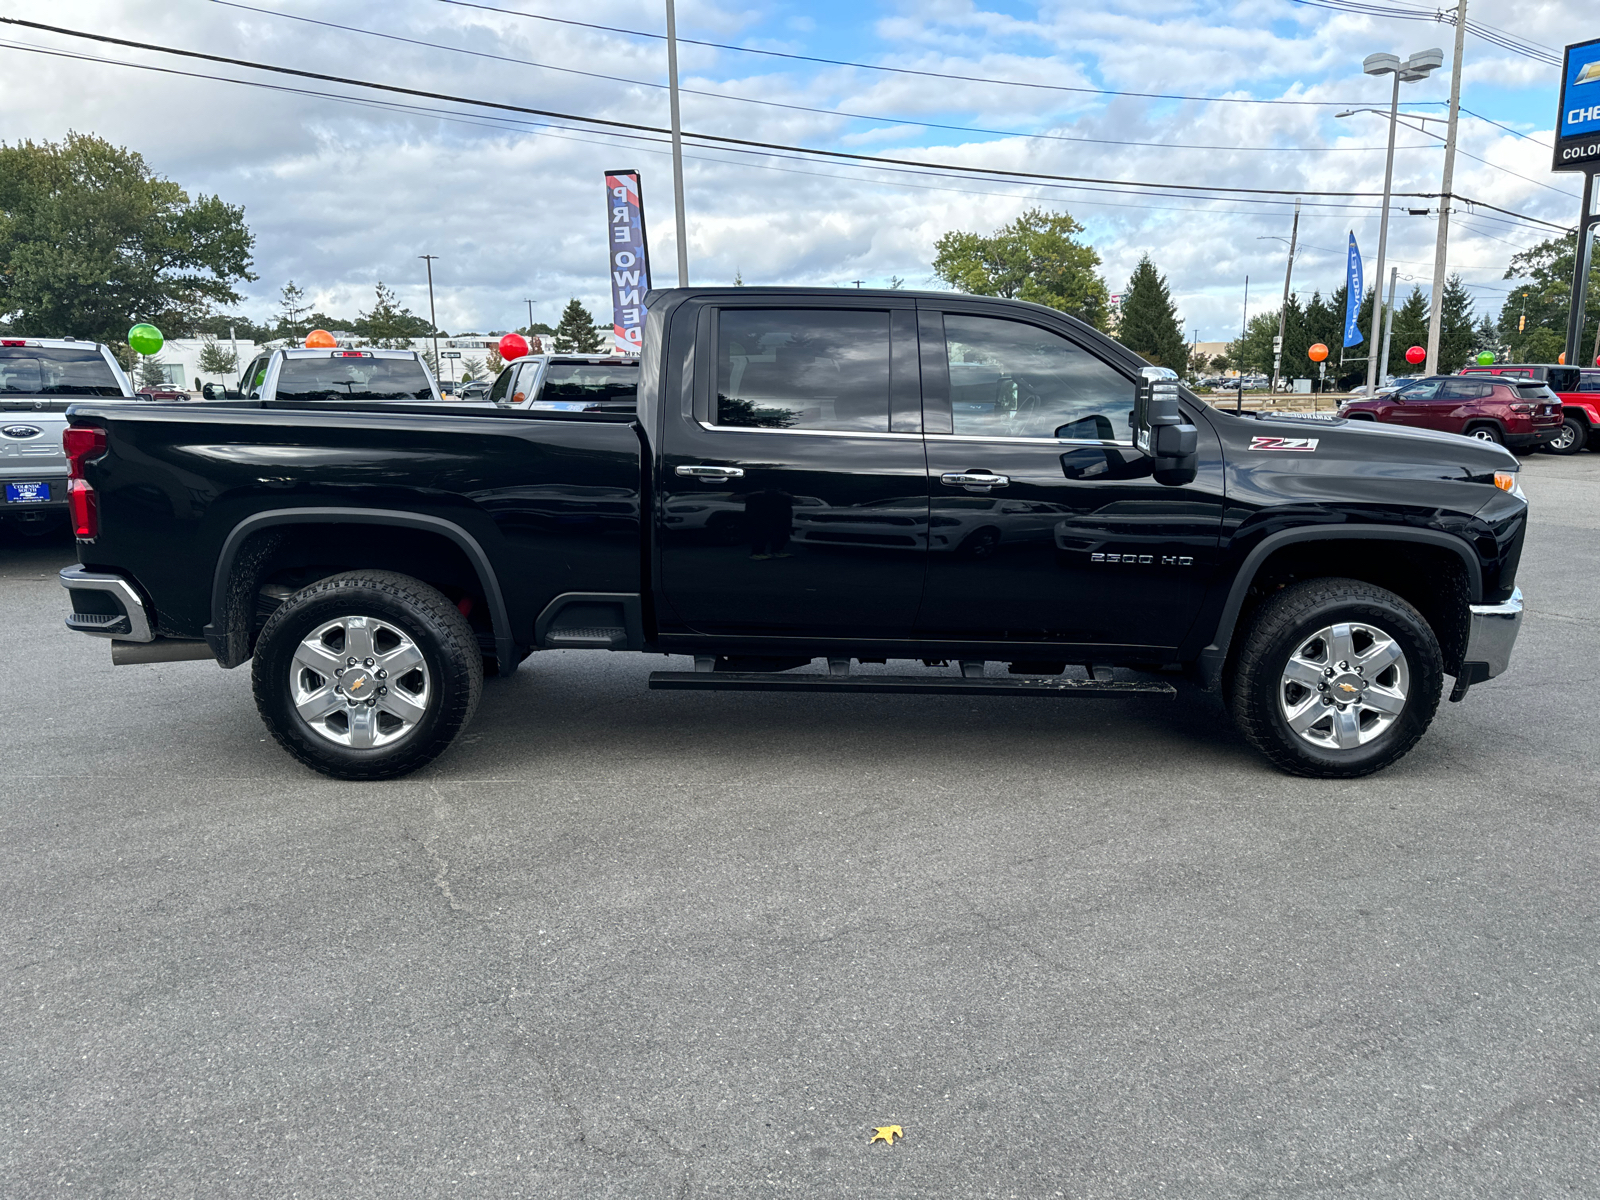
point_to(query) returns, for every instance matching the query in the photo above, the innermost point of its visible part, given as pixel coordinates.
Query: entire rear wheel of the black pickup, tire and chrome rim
(367, 676)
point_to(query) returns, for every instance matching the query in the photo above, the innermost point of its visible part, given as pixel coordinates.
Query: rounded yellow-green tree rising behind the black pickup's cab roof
(1034, 258)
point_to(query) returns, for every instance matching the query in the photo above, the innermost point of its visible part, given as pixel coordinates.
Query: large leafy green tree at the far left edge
(92, 241)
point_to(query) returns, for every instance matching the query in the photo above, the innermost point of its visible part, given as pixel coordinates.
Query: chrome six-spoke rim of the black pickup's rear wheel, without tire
(359, 682)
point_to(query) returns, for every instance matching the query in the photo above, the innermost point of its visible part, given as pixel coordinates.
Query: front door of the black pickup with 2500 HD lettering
(1046, 526)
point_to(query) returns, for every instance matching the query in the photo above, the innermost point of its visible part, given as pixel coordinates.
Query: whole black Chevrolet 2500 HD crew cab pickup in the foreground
(988, 490)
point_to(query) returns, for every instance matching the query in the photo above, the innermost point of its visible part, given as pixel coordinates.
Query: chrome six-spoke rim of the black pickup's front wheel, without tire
(1345, 686)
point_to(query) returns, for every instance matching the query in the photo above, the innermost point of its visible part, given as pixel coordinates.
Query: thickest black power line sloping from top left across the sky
(1241, 194)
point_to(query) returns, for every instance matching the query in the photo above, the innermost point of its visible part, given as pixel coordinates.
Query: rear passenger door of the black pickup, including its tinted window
(794, 500)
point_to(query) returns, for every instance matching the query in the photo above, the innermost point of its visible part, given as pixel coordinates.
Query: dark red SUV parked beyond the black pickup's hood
(1518, 414)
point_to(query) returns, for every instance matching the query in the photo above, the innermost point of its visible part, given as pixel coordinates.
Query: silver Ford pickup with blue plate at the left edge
(39, 378)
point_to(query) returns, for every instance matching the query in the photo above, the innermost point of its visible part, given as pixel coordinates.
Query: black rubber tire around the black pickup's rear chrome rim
(452, 679)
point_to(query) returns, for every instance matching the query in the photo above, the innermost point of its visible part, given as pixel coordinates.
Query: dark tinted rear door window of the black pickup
(804, 369)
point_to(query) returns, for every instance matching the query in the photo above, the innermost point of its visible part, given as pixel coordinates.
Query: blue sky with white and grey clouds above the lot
(345, 193)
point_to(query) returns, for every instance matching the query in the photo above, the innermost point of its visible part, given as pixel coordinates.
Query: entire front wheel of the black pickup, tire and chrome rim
(1337, 679)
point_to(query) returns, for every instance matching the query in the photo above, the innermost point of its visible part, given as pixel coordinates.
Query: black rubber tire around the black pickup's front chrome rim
(1282, 625)
